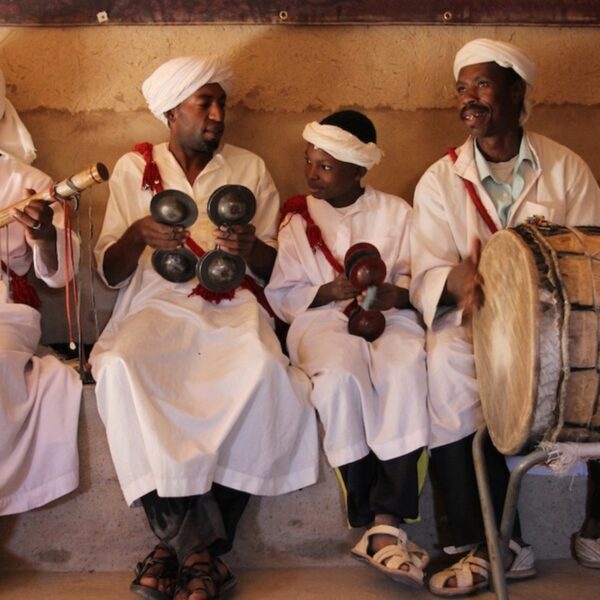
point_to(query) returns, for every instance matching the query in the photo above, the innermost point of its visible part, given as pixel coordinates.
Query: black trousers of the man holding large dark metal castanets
(195, 523)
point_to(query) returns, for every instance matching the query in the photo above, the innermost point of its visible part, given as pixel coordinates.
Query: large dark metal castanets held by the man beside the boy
(218, 271)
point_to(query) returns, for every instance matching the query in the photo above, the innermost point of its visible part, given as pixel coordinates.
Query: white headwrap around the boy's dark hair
(341, 144)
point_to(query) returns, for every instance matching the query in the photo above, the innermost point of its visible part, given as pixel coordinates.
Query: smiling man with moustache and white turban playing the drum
(499, 177)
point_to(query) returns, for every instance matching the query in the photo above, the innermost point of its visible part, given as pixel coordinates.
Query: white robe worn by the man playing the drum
(562, 189)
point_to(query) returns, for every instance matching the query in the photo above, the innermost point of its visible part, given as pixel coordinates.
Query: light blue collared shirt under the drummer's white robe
(503, 195)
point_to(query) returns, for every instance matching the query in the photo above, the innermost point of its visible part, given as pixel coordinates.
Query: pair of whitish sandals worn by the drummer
(522, 566)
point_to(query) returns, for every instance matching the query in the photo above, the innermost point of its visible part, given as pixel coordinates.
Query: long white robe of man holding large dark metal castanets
(192, 392)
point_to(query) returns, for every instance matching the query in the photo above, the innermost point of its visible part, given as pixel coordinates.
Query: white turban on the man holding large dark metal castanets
(179, 78)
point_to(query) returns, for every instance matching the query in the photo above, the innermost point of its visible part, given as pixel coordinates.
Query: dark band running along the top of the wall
(300, 12)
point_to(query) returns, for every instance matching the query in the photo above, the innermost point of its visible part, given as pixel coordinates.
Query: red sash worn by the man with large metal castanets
(151, 180)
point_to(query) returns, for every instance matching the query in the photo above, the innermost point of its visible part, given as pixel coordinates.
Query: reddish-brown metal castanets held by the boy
(365, 270)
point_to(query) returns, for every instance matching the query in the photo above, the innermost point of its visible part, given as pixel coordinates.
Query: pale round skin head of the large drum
(505, 340)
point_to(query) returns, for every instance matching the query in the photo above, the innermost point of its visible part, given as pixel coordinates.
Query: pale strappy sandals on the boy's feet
(390, 559)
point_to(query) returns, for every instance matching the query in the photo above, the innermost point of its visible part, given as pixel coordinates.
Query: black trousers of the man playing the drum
(454, 475)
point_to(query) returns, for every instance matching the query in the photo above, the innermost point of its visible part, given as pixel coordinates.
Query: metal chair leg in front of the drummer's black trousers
(489, 519)
